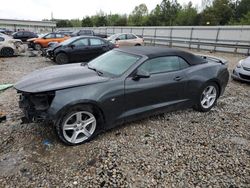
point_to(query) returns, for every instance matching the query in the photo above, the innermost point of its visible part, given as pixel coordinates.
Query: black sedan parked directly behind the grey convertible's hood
(77, 49)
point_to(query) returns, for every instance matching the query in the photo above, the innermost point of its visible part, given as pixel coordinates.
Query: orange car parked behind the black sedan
(44, 40)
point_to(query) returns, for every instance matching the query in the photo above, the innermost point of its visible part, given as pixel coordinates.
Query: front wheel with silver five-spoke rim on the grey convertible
(79, 124)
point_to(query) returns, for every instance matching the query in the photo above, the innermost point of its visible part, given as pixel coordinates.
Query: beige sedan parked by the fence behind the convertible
(126, 39)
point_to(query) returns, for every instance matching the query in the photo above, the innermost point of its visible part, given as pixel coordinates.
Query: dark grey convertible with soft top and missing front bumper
(119, 86)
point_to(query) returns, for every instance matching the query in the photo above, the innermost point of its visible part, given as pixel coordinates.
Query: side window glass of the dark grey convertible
(164, 64)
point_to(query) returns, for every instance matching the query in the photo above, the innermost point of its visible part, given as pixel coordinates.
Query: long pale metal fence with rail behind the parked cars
(233, 39)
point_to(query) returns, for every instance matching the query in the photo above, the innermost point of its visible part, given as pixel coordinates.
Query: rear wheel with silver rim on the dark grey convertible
(207, 97)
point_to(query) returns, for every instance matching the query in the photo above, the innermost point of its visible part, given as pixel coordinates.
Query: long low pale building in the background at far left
(35, 26)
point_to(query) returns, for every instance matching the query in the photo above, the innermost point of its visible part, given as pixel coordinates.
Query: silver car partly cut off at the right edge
(242, 70)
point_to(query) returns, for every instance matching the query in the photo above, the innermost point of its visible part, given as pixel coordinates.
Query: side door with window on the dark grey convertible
(164, 88)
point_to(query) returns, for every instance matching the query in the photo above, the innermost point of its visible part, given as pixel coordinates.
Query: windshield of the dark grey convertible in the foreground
(114, 62)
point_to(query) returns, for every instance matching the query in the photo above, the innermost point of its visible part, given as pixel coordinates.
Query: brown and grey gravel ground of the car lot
(179, 149)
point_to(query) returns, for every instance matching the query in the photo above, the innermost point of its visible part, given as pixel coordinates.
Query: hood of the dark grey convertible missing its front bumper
(58, 77)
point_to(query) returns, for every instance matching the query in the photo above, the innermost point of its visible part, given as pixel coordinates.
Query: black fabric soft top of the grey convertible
(153, 52)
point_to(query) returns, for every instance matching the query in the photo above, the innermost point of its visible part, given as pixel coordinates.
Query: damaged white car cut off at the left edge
(10, 47)
